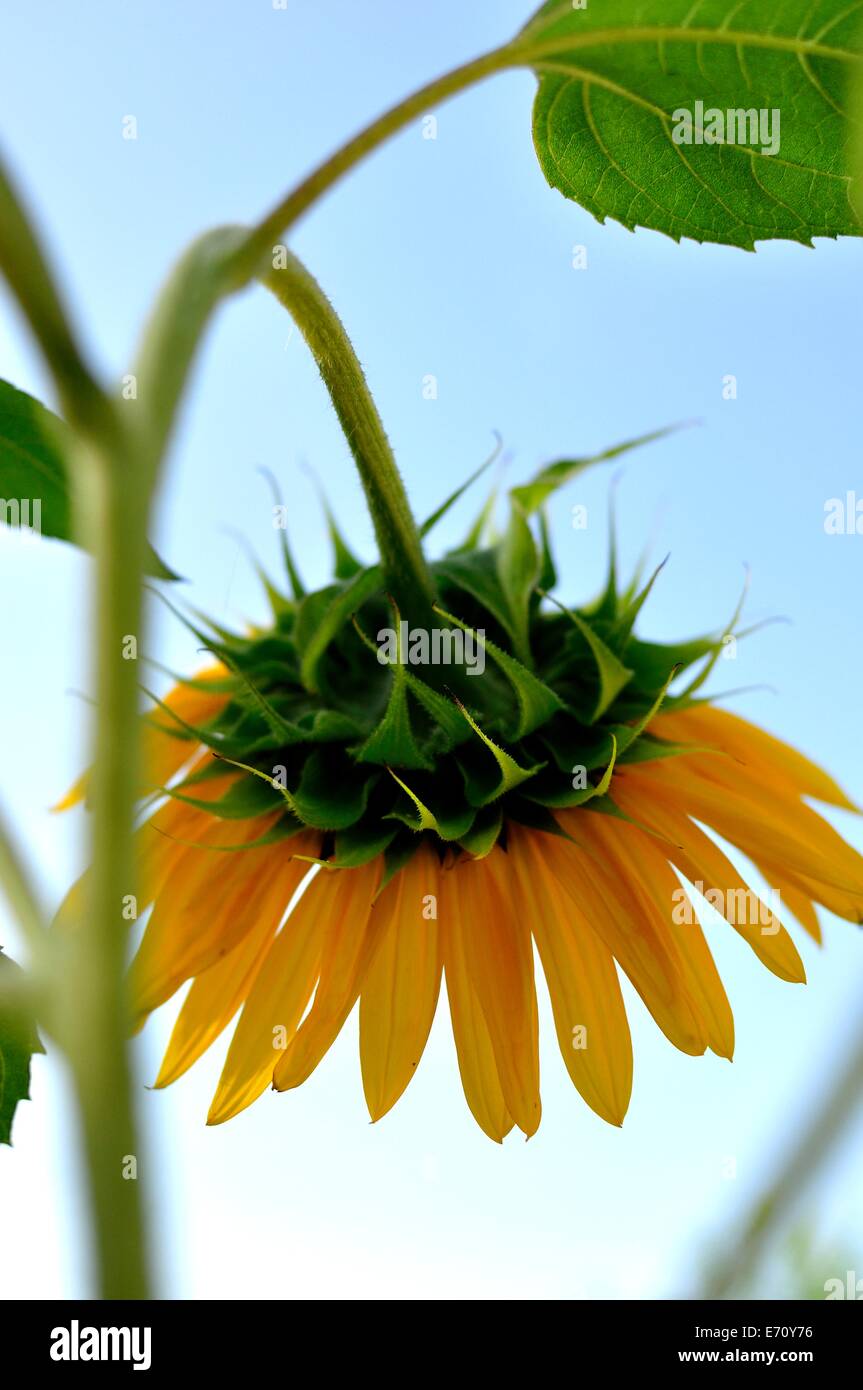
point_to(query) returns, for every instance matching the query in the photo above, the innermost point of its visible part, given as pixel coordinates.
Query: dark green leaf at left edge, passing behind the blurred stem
(34, 482)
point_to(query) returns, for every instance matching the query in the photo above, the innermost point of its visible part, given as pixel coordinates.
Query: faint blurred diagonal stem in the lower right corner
(821, 1138)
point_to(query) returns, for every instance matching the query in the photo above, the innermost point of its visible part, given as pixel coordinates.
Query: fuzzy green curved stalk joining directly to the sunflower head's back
(398, 537)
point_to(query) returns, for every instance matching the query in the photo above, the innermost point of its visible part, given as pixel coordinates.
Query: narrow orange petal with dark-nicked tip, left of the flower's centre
(352, 939)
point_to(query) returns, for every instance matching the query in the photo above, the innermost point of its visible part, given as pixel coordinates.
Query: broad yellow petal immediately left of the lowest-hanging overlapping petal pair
(402, 986)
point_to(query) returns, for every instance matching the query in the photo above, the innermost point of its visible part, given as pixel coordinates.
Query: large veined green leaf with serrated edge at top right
(616, 74)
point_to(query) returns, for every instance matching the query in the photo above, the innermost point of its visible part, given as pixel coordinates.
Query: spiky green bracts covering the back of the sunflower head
(341, 719)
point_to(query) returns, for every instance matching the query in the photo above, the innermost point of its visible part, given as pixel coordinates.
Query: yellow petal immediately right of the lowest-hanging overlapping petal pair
(590, 1014)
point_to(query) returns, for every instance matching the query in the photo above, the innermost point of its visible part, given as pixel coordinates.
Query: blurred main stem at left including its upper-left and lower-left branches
(84, 968)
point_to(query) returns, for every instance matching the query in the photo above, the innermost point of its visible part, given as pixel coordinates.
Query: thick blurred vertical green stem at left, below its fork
(98, 1028)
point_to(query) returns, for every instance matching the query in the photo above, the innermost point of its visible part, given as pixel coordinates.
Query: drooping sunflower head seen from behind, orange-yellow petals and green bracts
(338, 822)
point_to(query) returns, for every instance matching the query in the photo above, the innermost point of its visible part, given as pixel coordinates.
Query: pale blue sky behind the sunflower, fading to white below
(448, 258)
